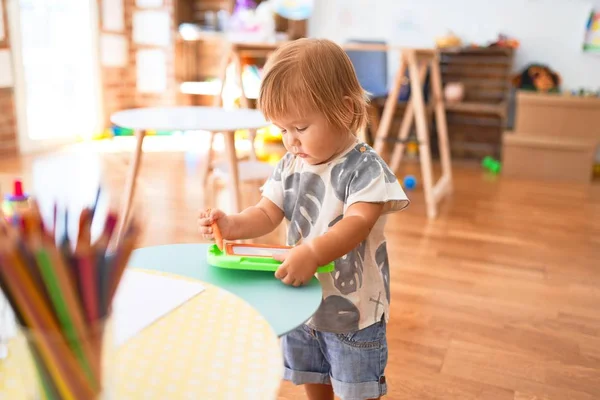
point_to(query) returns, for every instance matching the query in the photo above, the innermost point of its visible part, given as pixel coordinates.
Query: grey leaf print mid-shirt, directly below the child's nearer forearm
(348, 273)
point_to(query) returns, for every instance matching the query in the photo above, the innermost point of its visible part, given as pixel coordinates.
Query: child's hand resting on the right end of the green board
(298, 267)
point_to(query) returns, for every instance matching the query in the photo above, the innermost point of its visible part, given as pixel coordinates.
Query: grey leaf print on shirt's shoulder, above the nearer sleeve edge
(355, 172)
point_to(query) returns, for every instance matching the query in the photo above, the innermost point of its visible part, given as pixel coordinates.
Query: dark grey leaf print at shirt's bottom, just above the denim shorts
(337, 314)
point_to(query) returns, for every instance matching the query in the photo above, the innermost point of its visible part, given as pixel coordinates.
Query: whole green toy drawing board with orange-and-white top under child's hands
(253, 257)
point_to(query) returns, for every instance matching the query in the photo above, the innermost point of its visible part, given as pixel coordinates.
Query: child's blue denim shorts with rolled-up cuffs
(353, 363)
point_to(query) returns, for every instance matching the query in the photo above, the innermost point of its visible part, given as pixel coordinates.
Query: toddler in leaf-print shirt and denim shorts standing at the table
(334, 191)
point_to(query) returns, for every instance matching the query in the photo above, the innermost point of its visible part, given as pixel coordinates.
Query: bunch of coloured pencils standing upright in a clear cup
(61, 296)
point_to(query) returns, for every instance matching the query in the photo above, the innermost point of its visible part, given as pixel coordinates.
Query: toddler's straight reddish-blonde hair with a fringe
(313, 75)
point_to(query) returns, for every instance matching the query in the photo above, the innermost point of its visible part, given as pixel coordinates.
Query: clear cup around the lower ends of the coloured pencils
(55, 366)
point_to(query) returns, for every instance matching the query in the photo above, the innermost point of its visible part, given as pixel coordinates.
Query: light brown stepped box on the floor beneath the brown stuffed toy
(555, 138)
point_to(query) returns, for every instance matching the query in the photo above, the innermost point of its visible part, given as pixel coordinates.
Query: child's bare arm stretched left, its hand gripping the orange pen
(253, 222)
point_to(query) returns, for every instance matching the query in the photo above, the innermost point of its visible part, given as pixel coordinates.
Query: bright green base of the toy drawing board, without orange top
(218, 258)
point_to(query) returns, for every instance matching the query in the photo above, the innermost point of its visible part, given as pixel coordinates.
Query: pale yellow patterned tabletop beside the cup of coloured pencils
(215, 346)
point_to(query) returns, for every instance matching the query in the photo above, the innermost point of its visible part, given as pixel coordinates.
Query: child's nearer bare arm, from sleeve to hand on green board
(301, 263)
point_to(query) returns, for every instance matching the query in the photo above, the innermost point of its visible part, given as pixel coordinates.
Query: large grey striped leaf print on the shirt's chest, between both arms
(302, 201)
